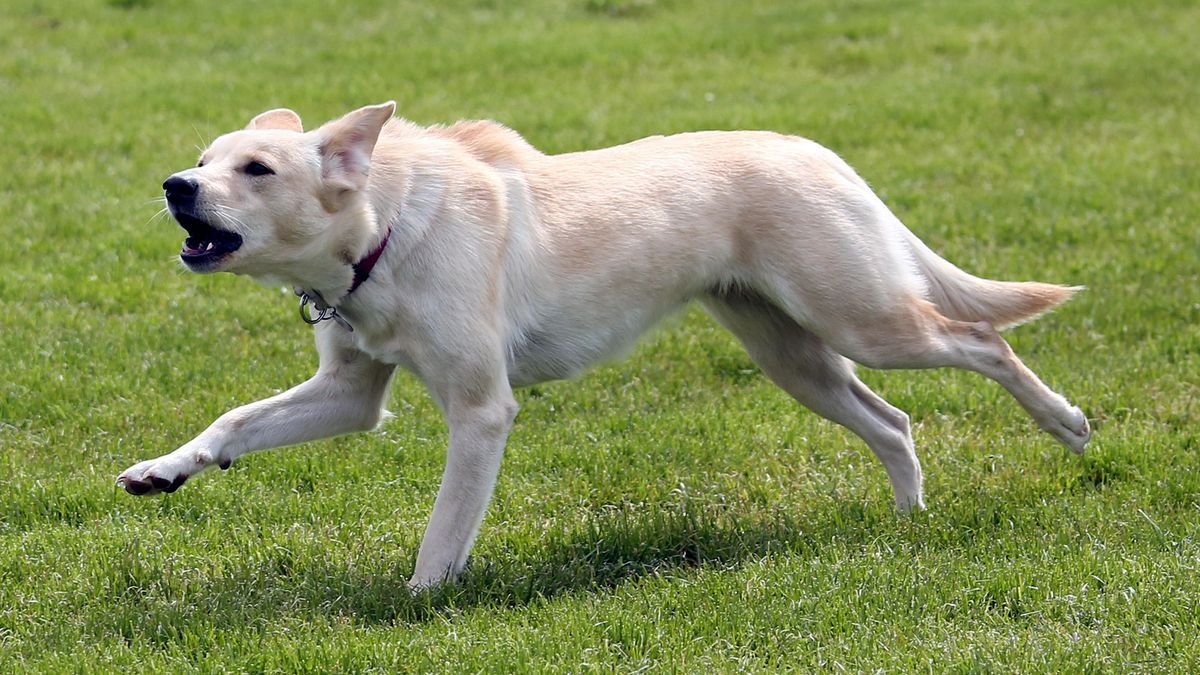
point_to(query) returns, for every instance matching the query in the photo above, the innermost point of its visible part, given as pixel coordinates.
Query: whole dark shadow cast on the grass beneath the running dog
(613, 547)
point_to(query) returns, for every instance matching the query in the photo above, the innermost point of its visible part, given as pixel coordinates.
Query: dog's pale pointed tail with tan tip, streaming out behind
(965, 297)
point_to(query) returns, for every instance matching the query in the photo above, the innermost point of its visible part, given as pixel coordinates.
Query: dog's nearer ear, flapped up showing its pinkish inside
(347, 144)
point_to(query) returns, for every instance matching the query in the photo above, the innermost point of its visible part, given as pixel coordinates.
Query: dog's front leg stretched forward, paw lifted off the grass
(347, 395)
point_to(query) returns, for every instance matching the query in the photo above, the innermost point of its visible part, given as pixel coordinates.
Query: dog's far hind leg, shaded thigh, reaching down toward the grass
(825, 383)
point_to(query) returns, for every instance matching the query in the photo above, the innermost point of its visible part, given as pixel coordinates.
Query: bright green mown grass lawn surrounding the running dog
(674, 511)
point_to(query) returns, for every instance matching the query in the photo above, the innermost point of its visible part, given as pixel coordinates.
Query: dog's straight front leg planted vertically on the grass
(479, 427)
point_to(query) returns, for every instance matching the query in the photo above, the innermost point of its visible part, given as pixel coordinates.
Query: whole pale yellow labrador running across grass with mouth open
(477, 262)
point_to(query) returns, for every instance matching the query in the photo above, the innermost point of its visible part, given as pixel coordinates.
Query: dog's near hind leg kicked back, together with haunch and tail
(874, 294)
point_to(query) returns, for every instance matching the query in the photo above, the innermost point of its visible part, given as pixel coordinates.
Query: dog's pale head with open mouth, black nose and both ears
(272, 198)
